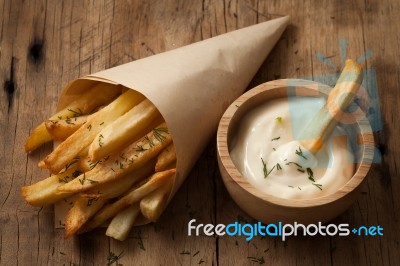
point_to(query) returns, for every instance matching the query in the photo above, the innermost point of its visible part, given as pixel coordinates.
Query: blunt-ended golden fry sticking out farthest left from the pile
(44, 192)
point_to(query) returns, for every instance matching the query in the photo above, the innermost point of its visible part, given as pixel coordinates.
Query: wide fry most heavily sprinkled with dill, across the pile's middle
(117, 165)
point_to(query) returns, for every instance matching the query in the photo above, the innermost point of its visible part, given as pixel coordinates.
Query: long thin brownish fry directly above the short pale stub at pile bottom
(109, 211)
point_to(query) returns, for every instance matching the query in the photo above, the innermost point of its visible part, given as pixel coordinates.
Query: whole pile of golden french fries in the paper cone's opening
(115, 155)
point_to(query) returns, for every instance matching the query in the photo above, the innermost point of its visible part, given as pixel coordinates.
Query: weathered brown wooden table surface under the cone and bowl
(46, 44)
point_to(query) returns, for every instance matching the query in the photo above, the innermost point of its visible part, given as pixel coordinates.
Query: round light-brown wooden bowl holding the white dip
(270, 209)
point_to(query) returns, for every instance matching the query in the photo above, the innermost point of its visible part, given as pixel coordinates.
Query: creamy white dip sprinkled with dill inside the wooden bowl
(268, 155)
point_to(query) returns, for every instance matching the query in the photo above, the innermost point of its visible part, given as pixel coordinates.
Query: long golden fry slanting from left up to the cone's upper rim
(82, 138)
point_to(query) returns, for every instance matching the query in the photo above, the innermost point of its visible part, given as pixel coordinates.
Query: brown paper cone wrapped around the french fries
(191, 86)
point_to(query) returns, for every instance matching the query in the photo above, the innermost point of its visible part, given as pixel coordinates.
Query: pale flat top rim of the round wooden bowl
(354, 182)
